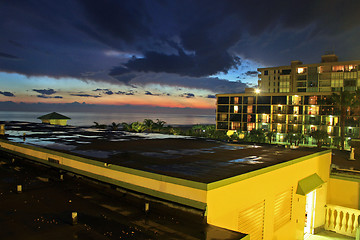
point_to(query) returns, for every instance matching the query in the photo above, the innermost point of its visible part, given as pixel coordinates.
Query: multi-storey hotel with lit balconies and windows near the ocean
(288, 101)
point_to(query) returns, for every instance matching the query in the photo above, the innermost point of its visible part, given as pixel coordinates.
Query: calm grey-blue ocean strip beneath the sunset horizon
(88, 118)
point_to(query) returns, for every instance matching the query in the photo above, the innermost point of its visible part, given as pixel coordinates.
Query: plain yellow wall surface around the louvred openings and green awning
(225, 203)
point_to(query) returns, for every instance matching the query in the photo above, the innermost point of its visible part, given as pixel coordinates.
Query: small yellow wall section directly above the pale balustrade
(343, 193)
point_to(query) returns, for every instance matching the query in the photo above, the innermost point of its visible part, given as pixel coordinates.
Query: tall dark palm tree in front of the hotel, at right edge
(344, 101)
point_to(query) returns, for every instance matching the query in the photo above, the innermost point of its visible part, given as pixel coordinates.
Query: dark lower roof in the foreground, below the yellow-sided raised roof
(44, 208)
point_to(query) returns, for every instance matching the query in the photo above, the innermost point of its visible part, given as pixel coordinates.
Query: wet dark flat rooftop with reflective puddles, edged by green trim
(183, 157)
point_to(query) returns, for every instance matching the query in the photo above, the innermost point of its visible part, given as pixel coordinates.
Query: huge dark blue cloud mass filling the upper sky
(188, 38)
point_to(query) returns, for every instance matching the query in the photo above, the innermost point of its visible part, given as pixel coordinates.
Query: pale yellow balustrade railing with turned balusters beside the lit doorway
(342, 220)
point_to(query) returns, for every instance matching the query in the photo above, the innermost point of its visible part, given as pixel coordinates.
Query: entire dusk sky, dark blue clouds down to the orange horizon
(171, 54)
